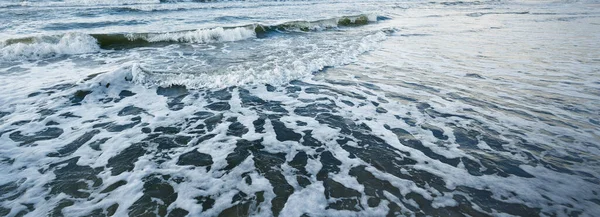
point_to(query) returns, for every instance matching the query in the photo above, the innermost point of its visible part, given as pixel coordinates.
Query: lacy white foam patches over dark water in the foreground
(320, 148)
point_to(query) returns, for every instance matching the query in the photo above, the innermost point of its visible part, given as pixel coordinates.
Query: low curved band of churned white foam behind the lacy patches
(272, 69)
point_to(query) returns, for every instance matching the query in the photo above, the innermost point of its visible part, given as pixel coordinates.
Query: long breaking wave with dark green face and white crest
(78, 43)
